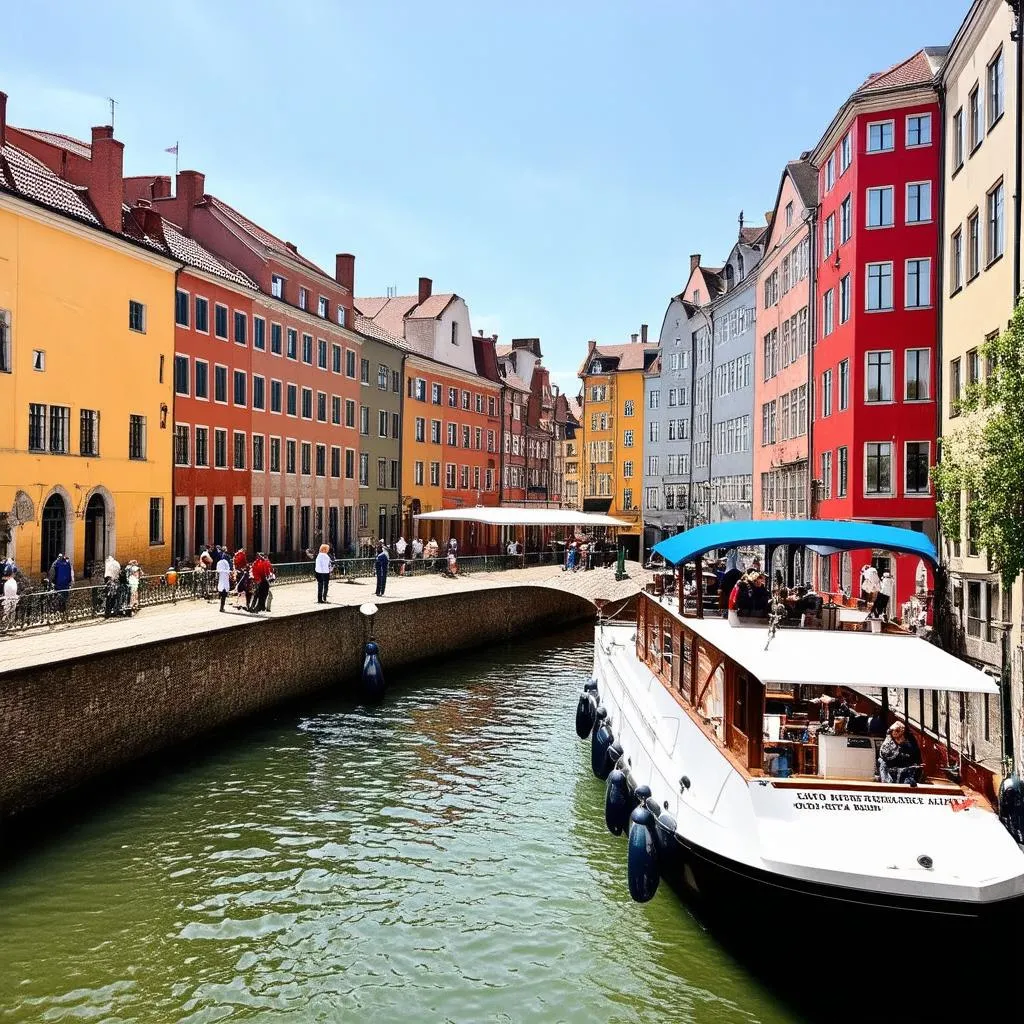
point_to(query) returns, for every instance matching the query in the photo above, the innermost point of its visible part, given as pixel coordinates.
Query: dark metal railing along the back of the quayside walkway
(46, 607)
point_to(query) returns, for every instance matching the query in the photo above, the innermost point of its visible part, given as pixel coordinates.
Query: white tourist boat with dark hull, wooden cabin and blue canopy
(763, 802)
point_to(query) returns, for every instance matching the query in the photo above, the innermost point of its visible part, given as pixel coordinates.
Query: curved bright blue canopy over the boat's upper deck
(839, 535)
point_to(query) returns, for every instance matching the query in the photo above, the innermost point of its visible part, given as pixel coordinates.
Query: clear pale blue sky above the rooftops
(556, 163)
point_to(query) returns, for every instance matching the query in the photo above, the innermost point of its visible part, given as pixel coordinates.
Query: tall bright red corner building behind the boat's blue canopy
(874, 364)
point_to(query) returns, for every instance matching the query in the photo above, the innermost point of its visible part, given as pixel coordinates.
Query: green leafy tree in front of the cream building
(985, 458)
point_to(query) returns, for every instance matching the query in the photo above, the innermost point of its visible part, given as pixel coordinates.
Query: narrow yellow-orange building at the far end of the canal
(612, 430)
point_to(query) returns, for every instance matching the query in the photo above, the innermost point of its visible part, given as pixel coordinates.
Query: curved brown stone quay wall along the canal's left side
(69, 722)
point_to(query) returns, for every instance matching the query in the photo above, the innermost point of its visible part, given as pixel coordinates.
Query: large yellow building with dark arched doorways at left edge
(87, 364)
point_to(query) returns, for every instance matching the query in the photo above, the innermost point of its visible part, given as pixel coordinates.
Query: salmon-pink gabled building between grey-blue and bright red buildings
(783, 403)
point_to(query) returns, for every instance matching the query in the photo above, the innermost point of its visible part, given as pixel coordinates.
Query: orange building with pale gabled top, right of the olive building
(451, 425)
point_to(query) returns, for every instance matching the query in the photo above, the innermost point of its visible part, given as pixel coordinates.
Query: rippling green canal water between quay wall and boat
(442, 858)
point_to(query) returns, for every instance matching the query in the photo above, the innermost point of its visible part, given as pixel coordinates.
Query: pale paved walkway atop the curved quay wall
(163, 622)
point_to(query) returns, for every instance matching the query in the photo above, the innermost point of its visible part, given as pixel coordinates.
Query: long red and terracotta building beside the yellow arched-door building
(292, 367)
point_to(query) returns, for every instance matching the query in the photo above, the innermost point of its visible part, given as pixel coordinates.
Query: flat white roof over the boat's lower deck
(866, 662)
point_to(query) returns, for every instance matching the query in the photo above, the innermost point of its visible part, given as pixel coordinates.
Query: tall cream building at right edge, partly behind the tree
(979, 84)
